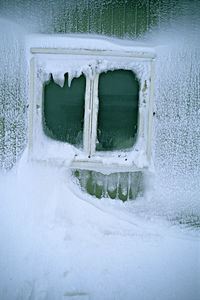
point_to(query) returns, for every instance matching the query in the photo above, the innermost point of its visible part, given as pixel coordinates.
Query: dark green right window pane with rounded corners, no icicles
(118, 110)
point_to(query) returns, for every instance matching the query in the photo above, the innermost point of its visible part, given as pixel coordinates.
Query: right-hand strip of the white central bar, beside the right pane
(94, 113)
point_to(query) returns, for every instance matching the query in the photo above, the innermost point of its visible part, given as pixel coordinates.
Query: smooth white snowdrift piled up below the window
(58, 243)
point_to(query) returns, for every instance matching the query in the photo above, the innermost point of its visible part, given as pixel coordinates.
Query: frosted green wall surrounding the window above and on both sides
(172, 27)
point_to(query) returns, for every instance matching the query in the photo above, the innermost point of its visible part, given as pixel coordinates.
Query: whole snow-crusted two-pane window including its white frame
(100, 102)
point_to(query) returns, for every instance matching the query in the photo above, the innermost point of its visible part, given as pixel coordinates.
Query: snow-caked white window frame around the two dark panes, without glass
(135, 159)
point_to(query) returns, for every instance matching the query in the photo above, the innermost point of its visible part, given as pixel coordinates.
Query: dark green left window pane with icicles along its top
(63, 110)
